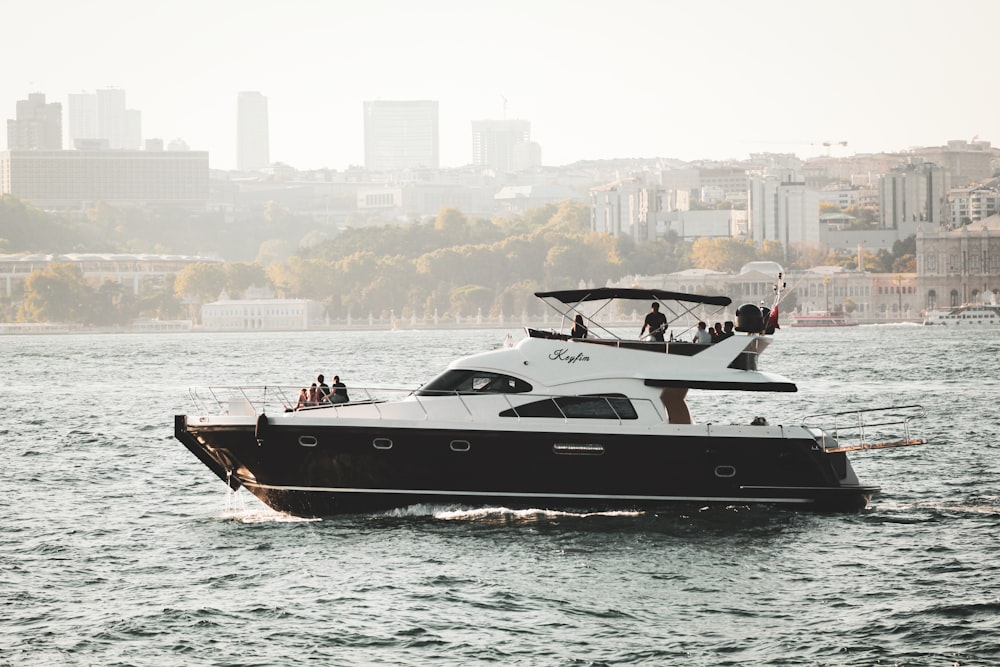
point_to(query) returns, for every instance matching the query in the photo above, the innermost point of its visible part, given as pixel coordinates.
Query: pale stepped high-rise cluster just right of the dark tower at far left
(101, 120)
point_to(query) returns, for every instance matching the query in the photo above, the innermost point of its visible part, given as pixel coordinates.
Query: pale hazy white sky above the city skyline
(651, 78)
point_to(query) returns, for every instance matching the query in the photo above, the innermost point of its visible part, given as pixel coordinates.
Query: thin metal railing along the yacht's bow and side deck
(371, 402)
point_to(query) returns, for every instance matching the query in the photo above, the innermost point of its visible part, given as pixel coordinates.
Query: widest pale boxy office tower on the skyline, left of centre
(401, 135)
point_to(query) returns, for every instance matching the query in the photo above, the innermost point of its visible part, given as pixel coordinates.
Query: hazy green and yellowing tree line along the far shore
(451, 265)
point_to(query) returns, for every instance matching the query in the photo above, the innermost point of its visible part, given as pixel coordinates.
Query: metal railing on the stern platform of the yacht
(869, 428)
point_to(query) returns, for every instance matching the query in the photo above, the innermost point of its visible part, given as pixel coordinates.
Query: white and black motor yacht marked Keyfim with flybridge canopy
(551, 421)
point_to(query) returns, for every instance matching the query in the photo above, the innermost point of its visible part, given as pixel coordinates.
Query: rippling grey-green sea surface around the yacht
(119, 548)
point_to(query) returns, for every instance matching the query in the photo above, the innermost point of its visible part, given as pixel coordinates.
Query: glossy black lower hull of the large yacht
(317, 471)
